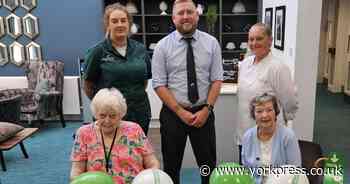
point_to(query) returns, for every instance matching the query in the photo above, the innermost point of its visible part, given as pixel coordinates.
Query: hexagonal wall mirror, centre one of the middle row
(14, 25)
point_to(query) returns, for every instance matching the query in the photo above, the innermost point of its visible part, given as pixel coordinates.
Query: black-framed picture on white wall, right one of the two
(280, 22)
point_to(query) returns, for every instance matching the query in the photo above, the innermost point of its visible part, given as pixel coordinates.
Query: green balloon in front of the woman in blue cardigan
(231, 173)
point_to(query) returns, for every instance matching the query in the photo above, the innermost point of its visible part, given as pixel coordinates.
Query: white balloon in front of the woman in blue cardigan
(286, 175)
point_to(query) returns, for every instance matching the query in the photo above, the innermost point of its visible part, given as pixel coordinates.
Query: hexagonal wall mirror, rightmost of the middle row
(30, 26)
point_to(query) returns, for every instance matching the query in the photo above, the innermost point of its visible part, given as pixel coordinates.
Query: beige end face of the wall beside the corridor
(306, 64)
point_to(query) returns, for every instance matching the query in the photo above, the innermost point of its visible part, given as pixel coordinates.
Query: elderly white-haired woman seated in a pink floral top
(117, 147)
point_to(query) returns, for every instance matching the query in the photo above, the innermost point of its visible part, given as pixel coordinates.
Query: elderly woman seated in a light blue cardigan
(268, 144)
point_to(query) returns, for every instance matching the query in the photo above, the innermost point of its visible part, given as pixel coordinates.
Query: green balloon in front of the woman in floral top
(93, 178)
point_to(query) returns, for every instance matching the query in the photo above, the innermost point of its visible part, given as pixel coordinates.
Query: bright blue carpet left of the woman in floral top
(48, 163)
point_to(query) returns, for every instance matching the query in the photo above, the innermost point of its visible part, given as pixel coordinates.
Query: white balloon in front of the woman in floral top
(152, 176)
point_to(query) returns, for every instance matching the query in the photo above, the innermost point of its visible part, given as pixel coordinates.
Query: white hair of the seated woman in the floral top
(109, 99)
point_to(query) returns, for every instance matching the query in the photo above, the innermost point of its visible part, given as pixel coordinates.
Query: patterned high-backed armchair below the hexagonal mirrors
(43, 97)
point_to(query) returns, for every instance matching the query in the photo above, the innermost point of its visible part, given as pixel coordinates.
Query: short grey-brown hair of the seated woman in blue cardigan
(261, 99)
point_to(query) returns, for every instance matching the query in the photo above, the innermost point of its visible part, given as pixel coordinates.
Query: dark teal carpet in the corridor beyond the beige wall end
(331, 129)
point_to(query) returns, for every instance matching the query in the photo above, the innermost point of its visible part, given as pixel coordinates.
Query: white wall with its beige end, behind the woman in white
(301, 51)
